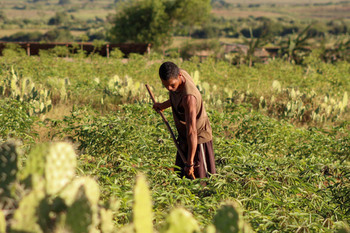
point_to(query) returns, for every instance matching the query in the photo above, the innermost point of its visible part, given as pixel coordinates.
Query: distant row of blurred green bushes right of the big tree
(280, 27)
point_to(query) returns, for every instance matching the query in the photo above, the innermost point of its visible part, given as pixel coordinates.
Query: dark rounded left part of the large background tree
(142, 21)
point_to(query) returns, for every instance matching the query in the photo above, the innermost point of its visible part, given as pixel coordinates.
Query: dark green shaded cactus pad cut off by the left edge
(8, 167)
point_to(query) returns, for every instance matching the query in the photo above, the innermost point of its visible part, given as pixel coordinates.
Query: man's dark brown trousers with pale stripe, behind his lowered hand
(204, 162)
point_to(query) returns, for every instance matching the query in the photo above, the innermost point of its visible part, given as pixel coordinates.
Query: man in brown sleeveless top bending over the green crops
(191, 120)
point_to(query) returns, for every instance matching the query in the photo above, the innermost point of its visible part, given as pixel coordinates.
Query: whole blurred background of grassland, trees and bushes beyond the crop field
(173, 28)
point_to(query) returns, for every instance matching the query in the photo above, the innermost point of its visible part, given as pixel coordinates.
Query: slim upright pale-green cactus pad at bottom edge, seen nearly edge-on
(142, 207)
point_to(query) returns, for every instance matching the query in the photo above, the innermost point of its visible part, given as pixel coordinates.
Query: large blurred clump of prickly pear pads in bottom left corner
(54, 200)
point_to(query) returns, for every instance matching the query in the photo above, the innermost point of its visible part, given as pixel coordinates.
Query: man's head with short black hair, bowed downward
(169, 74)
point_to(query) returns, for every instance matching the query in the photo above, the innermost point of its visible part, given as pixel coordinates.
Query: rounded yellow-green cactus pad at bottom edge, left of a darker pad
(180, 221)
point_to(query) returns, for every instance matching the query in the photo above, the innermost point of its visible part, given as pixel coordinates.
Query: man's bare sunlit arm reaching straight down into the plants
(189, 104)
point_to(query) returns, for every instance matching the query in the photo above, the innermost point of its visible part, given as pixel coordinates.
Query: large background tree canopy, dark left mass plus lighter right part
(153, 21)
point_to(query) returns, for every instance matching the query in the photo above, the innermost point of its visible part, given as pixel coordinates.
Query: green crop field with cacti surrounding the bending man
(281, 141)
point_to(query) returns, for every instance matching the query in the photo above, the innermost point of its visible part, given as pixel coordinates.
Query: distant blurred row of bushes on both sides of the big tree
(63, 23)
